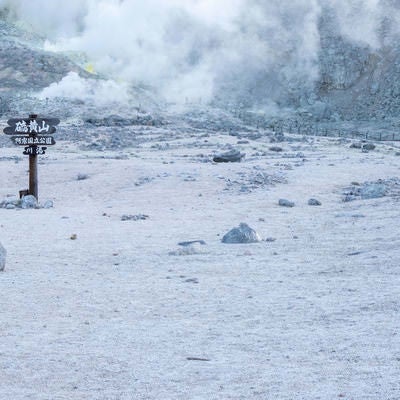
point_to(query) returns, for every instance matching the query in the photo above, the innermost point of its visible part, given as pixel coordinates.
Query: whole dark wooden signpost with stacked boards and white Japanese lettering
(32, 132)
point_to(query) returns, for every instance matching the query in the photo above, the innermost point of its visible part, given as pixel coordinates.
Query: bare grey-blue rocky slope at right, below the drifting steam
(356, 81)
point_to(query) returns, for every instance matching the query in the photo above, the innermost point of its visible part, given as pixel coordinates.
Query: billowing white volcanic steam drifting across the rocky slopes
(255, 52)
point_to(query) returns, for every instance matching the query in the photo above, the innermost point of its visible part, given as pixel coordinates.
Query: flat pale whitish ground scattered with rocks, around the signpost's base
(97, 307)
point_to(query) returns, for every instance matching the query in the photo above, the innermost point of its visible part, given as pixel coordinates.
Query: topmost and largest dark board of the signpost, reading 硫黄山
(20, 126)
